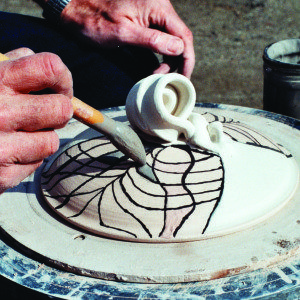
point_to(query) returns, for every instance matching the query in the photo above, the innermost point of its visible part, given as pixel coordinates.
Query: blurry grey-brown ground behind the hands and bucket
(229, 39)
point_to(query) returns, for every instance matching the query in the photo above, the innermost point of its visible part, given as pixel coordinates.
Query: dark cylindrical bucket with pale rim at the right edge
(282, 78)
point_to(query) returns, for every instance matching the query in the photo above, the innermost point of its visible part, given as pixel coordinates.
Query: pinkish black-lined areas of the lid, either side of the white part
(93, 173)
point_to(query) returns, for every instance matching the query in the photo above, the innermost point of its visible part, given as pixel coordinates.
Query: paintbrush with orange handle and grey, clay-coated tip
(123, 137)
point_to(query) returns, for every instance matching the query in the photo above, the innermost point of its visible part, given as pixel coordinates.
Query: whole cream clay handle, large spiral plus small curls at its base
(161, 106)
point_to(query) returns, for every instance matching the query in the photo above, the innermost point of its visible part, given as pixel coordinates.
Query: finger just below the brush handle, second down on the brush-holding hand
(35, 112)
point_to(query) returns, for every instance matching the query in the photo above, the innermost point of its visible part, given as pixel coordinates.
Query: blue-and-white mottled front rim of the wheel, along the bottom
(282, 284)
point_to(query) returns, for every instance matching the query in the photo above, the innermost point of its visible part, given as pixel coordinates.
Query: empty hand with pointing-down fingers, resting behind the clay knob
(152, 24)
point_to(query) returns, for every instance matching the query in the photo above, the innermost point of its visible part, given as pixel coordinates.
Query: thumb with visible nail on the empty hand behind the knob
(156, 41)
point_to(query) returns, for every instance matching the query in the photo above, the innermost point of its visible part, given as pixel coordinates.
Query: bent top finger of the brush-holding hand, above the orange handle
(35, 73)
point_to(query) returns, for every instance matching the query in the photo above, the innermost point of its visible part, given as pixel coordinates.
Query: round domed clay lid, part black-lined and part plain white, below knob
(218, 177)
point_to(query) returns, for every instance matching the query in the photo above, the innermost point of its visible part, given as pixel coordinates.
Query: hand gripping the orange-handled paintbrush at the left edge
(27, 121)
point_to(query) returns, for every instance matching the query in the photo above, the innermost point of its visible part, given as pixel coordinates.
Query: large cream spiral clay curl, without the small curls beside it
(160, 105)
